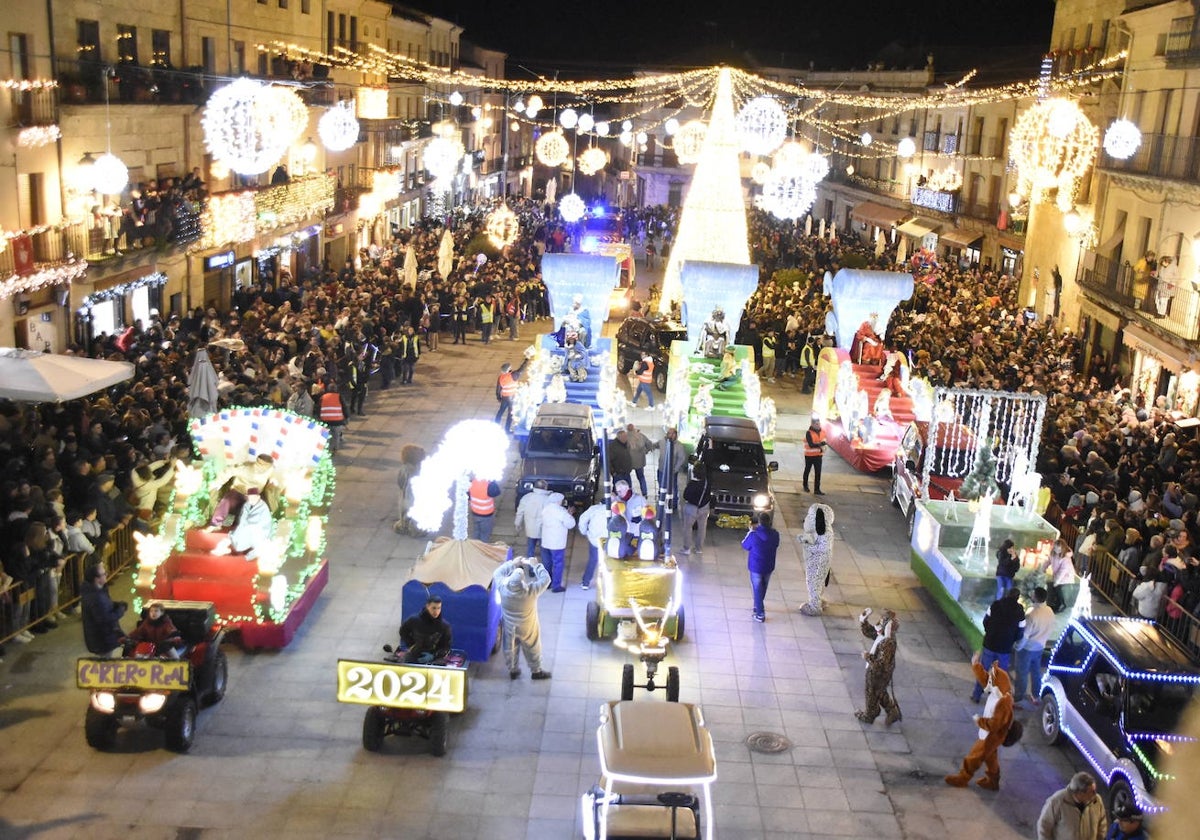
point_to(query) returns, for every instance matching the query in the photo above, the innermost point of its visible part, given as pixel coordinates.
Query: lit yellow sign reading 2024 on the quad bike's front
(403, 687)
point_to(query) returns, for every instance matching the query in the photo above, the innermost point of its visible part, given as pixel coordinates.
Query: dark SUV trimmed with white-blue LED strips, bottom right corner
(1118, 689)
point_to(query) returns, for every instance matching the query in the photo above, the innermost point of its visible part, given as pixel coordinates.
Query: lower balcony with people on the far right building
(1178, 313)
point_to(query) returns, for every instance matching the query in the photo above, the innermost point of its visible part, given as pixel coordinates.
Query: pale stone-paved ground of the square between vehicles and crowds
(281, 759)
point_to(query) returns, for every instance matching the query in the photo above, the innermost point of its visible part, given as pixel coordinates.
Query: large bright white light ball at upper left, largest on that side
(238, 128)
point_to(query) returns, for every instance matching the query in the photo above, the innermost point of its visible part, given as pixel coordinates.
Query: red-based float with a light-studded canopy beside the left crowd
(262, 577)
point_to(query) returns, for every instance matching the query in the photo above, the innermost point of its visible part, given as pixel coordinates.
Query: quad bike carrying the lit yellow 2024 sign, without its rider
(405, 699)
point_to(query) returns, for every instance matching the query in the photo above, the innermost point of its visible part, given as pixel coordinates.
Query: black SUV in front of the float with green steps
(739, 472)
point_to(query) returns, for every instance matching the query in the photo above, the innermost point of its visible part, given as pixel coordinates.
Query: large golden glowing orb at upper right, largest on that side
(1053, 146)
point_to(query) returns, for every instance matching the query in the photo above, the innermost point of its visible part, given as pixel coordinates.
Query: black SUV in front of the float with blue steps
(562, 451)
